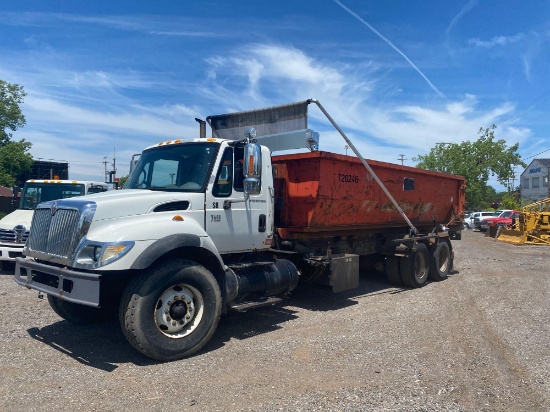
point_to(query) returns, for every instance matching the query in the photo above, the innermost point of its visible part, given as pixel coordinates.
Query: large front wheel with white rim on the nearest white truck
(171, 312)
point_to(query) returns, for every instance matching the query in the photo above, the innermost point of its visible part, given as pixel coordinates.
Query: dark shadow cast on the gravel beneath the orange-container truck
(103, 346)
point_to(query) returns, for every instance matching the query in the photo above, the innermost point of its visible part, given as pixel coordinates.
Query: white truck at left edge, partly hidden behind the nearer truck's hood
(15, 227)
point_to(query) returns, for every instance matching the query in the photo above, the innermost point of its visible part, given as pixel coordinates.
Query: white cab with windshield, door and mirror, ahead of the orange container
(206, 179)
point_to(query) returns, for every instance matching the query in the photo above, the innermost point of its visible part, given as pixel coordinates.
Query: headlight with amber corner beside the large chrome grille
(91, 255)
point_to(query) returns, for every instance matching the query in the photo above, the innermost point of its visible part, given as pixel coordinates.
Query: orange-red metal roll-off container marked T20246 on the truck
(325, 192)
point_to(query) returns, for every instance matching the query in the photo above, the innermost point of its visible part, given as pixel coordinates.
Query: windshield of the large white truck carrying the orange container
(178, 167)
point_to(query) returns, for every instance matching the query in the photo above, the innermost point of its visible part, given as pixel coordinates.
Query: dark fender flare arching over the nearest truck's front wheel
(172, 242)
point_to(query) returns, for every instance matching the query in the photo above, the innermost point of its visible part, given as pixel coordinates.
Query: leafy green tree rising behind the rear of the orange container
(476, 161)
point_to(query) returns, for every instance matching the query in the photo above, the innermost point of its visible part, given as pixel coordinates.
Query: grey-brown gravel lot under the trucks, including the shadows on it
(479, 341)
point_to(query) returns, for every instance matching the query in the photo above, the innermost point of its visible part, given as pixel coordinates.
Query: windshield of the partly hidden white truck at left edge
(35, 193)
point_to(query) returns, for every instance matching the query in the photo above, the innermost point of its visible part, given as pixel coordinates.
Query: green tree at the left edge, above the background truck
(14, 156)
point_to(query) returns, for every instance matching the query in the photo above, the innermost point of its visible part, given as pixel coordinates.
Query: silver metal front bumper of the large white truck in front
(61, 282)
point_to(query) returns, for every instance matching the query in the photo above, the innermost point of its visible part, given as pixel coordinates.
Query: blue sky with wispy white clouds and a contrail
(107, 78)
